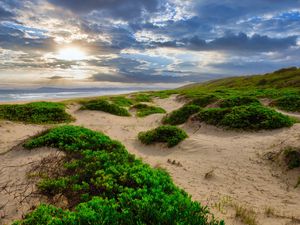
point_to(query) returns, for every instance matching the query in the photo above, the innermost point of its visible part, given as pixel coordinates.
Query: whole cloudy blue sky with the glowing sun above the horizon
(161, 43)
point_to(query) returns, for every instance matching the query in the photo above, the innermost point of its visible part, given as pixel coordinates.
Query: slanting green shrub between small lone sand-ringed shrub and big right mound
(181, 115)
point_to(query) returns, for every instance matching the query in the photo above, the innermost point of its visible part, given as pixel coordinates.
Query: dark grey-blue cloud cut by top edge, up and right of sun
(124, 9)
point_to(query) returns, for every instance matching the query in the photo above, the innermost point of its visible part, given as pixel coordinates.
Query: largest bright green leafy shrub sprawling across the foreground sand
(104, 184)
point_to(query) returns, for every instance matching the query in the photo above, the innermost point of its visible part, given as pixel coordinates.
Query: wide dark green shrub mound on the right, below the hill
(251, 117)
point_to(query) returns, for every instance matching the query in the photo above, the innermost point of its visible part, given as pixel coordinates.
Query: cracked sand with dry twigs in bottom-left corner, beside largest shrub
(16, 191)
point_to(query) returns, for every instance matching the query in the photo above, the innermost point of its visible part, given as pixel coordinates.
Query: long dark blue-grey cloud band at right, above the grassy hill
(233, 42)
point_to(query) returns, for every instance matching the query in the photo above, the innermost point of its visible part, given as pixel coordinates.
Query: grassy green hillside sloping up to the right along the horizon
(271, 85)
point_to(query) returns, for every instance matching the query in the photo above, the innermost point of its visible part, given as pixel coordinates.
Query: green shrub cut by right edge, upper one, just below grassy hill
(288, 103)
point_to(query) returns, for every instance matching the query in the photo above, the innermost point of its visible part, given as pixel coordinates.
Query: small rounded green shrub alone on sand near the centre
(169, 134)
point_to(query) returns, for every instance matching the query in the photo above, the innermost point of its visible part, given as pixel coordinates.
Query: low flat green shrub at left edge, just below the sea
(36, 112)
